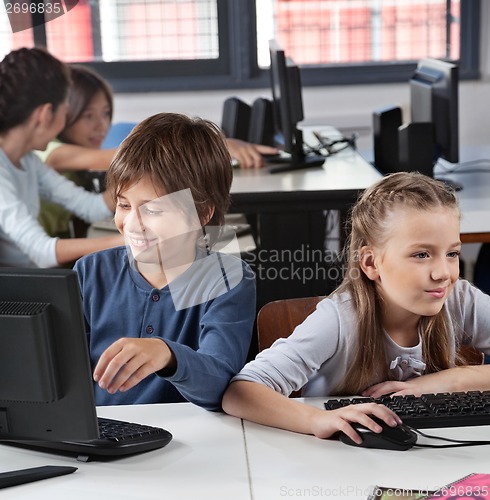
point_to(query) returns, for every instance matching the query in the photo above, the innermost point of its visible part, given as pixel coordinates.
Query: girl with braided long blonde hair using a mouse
(392, 327)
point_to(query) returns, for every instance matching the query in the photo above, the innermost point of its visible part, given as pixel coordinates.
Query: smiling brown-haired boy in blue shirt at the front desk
(169, 319)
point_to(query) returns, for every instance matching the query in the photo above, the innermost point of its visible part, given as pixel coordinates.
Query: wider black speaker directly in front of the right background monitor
(416, 148)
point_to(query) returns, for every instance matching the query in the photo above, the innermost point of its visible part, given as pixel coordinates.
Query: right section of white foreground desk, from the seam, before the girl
(289, 465)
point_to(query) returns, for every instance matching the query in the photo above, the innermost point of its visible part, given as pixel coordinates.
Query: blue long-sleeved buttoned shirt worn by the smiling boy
(210, 340)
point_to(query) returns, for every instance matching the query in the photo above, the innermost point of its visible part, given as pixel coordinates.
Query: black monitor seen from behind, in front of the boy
(46, 386)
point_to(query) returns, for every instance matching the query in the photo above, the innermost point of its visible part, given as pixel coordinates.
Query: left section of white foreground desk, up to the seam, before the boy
(205, 459)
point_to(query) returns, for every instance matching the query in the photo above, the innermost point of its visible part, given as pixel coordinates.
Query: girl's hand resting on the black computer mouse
(327, 423)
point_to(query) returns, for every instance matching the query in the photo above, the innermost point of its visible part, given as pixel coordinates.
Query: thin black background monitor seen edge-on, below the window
(288, 109)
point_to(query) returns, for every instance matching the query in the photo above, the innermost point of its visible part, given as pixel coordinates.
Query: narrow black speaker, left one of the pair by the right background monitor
(385, 130)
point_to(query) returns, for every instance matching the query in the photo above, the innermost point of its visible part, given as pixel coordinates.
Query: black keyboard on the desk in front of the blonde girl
(457, 409)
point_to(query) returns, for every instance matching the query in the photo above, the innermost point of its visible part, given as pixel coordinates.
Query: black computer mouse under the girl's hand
(399, 438)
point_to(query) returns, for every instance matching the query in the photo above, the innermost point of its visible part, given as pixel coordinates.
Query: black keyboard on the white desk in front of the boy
(116, 438)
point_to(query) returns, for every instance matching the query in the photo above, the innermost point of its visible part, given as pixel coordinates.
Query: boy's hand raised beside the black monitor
(129, 360)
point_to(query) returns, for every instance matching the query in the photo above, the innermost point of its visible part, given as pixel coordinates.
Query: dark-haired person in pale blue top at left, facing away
(33, 86)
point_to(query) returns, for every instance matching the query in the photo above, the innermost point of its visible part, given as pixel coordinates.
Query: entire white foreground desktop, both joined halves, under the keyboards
(213, 456)
